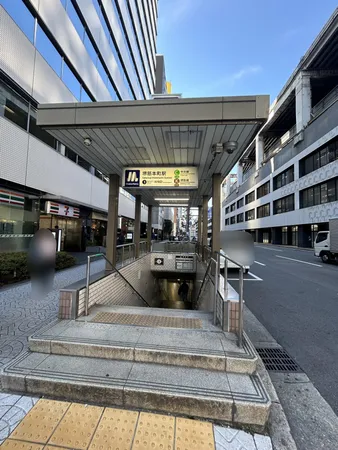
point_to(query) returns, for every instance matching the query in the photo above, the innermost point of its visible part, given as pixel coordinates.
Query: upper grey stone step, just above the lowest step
(213, 350)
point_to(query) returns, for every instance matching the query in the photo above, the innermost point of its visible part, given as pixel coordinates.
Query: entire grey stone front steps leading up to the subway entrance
(196, 372)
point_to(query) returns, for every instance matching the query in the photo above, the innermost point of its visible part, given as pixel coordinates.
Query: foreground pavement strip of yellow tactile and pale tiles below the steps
(35, 424)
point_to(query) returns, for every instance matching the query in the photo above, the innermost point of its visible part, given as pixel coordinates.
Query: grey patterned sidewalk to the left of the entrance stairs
(21, 316)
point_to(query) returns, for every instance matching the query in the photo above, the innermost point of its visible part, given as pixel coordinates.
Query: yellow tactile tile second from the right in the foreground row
(154, 432)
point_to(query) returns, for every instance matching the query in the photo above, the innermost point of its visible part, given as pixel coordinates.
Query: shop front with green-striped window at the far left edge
(19, 219)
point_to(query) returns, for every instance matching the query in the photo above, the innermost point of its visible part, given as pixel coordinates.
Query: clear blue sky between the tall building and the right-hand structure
(236, 47)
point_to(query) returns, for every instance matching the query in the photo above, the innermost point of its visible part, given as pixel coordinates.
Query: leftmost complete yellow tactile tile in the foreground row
(41, 421)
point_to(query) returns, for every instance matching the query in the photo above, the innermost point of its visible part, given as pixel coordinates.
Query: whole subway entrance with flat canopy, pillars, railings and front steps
(126, 337)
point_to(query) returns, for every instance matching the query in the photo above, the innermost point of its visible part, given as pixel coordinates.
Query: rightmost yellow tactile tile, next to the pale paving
(193, 434)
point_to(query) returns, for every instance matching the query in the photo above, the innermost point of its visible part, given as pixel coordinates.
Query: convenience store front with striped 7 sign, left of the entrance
(67, 219)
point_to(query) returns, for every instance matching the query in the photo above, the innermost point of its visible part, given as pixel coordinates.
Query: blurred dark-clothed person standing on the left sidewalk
(41, 262)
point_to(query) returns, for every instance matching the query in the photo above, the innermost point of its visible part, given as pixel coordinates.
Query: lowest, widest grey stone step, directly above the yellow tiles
(236, 399)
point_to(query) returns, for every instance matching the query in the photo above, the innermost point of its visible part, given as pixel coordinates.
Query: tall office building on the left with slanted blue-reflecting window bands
(58, 51)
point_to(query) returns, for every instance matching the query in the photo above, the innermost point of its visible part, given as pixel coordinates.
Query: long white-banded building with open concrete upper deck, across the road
(287, 180)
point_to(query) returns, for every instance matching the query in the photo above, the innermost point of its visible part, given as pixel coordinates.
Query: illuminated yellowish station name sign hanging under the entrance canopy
(161, 177)
